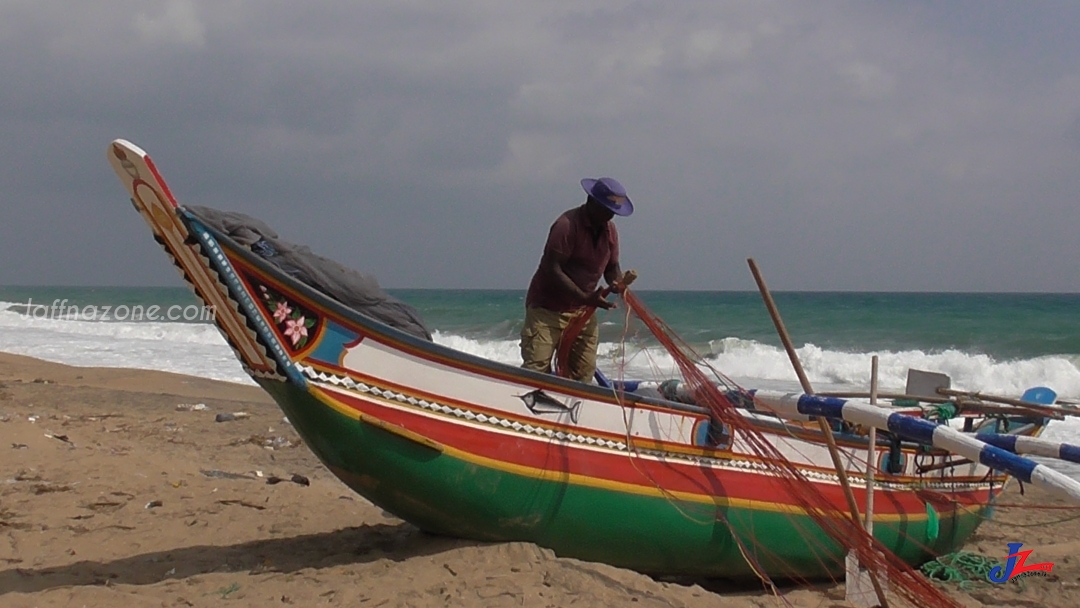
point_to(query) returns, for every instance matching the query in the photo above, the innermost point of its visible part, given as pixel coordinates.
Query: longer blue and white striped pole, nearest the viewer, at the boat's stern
(922, 431)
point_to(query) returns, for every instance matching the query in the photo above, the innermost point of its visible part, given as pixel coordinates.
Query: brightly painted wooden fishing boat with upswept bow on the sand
(629, 475)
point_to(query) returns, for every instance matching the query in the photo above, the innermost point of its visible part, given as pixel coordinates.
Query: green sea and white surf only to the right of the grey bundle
(998, 344)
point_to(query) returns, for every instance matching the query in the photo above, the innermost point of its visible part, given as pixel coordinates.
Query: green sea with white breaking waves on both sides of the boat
(1000, 344)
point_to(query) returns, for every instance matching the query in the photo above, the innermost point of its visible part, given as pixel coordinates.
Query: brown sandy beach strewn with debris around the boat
(119, 488)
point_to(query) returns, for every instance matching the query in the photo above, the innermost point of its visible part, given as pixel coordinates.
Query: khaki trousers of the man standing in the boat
(541, 340)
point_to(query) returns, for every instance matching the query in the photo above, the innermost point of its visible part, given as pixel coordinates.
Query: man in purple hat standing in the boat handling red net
(583, 247)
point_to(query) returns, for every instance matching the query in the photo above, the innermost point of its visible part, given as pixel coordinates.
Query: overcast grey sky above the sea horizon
(867, 146)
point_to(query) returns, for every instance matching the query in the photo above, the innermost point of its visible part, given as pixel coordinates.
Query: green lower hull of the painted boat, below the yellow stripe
(448, 495)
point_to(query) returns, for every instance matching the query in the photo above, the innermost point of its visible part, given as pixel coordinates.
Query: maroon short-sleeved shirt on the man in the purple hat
(573, 235)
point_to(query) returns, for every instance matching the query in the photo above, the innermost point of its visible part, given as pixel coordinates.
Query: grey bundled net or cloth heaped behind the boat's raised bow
(358, 291)
